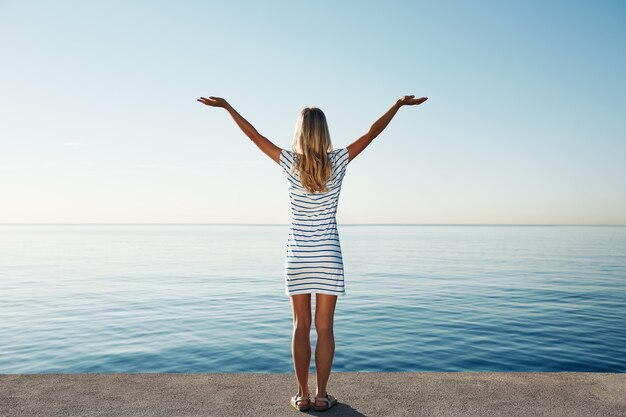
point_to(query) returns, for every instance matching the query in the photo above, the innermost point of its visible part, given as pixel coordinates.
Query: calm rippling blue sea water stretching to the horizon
(210, 298)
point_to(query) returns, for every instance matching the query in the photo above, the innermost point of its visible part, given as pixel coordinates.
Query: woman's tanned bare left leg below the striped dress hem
(301, 343)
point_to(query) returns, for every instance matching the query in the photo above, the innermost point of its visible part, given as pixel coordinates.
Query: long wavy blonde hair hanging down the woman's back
(312, 144)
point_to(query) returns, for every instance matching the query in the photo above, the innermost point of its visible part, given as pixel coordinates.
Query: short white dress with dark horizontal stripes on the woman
(314, 262)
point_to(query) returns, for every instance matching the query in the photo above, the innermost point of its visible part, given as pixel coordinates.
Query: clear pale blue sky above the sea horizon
(525, 122)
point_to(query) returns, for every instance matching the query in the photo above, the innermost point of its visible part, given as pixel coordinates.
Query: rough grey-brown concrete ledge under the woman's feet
(359, 393)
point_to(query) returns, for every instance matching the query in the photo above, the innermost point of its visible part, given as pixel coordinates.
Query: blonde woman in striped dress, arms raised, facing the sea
(313, 264)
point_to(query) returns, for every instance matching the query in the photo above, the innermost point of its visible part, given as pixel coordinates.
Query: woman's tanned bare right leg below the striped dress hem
(325, 346)
